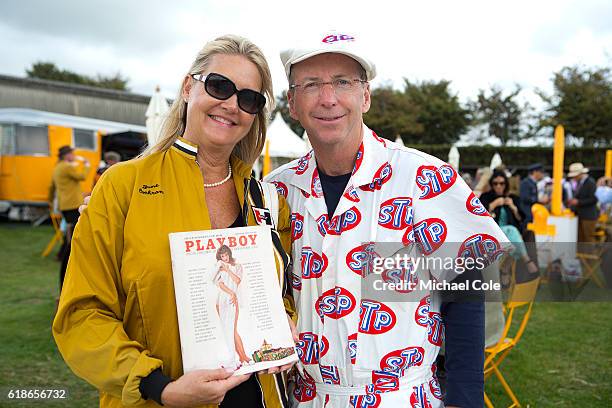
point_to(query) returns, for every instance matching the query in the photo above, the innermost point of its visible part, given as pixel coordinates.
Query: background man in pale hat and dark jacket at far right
(584, 202)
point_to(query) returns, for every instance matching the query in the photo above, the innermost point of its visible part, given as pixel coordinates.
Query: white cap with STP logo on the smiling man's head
(331, 41)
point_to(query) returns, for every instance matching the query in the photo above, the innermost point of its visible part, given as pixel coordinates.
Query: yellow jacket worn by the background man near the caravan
(66, 180)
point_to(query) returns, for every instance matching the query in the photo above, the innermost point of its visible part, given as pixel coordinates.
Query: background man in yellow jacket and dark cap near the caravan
(66, 182)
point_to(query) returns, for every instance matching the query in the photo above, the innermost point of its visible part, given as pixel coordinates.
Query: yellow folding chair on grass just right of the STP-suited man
(522, 296)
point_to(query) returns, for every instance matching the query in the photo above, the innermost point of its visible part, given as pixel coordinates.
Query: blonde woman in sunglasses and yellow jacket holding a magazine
(116, 325)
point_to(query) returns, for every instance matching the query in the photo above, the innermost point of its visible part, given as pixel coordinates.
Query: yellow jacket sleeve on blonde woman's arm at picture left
(88, 327)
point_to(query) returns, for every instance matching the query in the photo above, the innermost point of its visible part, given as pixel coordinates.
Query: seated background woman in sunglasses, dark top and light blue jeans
(504, 207)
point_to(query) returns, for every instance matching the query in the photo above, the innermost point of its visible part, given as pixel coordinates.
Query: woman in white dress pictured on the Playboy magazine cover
(227, 279)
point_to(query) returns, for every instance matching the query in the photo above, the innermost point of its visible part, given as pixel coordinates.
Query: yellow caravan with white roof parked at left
(29, 141)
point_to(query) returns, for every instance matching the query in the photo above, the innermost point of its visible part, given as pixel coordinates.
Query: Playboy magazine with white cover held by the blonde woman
(228, 300)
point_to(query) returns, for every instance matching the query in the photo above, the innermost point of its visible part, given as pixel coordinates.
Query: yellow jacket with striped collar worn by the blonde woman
(117, 320)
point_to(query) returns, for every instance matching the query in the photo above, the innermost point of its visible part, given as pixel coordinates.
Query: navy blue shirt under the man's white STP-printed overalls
(463, 321)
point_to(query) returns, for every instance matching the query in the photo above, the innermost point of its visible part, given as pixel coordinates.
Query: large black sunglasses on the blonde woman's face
(220, 87)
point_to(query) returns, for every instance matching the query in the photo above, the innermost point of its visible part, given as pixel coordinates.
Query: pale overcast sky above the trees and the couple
(474, 44)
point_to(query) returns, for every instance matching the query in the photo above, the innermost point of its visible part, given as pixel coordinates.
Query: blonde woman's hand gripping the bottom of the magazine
(200, 387)
